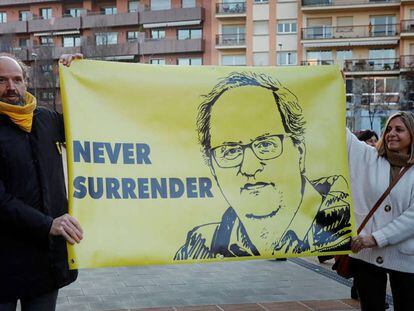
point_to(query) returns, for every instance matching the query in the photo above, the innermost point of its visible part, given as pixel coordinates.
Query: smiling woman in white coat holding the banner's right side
(386, 244)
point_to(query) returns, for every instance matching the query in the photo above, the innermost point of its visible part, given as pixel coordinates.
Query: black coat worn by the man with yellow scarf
(32, 193)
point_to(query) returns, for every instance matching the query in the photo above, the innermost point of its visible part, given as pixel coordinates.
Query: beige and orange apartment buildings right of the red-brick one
(371, 40)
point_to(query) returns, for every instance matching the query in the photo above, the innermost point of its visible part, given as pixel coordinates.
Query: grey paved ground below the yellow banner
(239, 285)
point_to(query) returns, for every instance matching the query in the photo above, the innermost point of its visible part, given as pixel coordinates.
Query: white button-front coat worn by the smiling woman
(393, 223)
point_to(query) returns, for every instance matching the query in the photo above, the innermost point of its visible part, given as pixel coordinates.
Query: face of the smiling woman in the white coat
(397, 137)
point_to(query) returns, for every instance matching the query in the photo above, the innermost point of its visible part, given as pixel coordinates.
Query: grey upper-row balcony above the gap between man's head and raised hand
(54, 24)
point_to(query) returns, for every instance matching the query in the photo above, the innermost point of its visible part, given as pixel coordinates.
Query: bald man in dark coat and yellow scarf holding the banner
(34, 224)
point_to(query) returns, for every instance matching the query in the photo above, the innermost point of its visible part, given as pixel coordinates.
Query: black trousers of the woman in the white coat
(371, 284)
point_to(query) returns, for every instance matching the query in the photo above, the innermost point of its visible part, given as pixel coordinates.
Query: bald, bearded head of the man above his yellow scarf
(12, 84)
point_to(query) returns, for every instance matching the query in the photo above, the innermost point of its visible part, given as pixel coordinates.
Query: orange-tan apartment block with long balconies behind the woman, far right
(372, 41)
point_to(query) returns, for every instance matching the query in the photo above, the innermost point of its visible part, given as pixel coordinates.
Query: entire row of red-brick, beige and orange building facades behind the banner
(371, 40)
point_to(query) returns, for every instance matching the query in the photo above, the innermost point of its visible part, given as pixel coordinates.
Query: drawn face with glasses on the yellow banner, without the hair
(254, 160)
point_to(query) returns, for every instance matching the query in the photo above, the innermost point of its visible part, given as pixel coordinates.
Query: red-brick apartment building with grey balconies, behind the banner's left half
(148, 31)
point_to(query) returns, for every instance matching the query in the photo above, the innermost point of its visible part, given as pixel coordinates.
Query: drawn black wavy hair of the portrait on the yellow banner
(285, 100)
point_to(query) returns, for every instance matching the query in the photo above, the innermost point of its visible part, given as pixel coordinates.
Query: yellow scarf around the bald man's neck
(22, 116)
